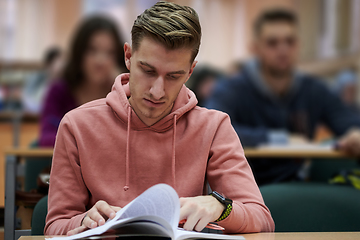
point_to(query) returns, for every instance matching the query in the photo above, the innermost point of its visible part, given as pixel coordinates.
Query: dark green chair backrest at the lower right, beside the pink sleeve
(313, 207)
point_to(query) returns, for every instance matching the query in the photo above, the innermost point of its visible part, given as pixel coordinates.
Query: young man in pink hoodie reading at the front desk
(148, 130)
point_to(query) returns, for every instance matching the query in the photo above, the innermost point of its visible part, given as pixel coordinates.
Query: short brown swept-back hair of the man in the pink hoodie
(172, 25)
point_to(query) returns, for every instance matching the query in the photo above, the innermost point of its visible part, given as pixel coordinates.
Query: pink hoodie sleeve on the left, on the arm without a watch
(68, 195)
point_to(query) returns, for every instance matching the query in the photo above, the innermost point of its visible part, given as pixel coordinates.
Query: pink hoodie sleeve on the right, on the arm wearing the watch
(229, 173)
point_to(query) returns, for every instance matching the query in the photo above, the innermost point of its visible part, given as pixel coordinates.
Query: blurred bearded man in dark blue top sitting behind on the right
(270, 101)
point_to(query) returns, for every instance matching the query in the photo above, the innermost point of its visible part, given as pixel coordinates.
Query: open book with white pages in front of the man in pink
(155, 213)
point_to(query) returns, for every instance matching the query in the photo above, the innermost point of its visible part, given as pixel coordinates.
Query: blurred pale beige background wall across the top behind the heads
(227, 25)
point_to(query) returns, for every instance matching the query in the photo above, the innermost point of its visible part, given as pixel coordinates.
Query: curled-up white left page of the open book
(160, 201)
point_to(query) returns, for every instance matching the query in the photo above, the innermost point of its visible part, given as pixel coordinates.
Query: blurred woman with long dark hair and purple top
(96, 57)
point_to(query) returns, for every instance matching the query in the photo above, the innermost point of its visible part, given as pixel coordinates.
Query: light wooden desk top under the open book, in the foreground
(276, 236)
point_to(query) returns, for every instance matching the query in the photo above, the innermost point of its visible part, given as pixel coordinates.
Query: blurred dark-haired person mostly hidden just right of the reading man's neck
(202, 82)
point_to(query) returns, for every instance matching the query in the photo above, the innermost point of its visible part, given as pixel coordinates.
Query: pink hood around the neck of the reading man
(117, 99)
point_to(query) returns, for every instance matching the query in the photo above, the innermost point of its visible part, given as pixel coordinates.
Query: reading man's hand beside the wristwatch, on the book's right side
(199, 211)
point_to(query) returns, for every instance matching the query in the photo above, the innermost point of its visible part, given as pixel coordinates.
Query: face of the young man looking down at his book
(157, 75)
